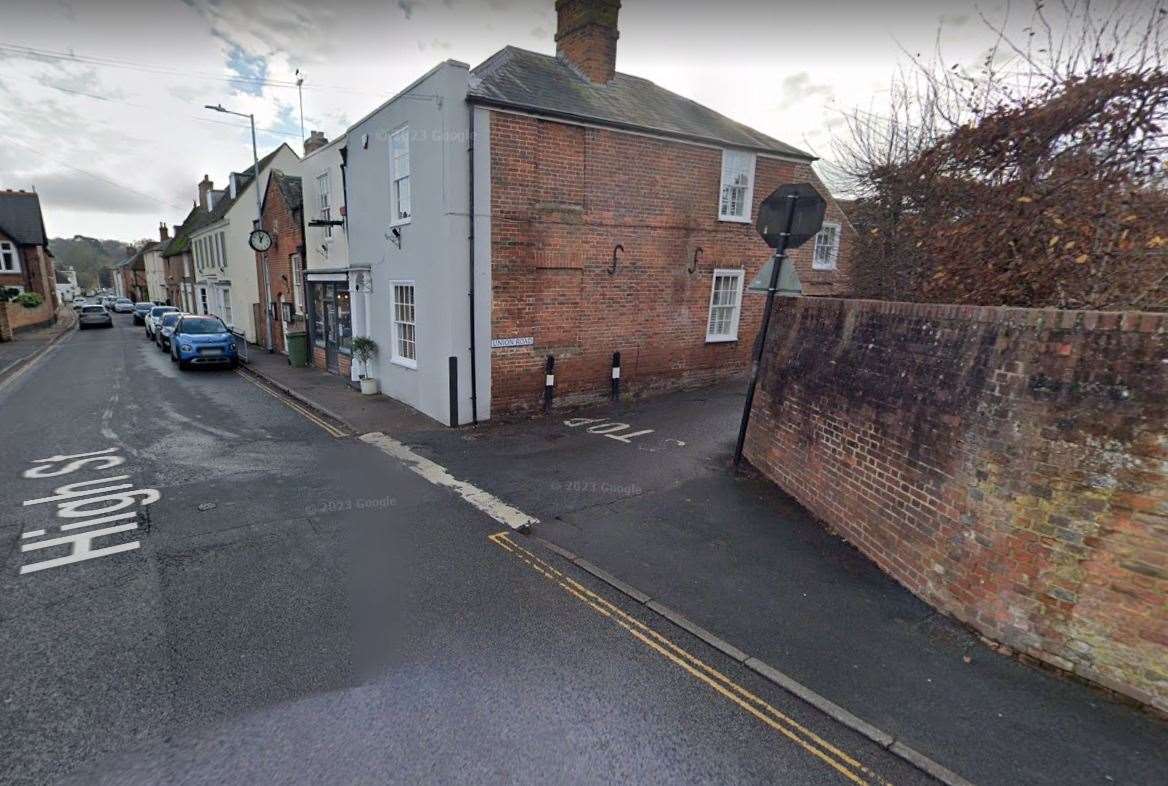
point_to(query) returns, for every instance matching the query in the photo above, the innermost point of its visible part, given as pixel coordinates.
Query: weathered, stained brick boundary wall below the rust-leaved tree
(1007, 465)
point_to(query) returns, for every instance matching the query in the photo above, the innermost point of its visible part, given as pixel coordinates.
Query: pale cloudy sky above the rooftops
(131, 112)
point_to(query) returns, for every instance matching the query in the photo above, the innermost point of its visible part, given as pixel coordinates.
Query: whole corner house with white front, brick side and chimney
(610, 215)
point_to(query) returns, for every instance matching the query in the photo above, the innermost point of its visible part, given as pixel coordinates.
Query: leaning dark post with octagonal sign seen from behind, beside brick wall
(787, 220)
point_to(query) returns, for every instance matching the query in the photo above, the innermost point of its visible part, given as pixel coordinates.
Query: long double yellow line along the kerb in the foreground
(808, 740)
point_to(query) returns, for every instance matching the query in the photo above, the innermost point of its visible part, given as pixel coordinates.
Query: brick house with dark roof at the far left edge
(26, 263)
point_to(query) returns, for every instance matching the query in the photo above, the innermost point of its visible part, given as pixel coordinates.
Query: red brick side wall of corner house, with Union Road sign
(562, 198)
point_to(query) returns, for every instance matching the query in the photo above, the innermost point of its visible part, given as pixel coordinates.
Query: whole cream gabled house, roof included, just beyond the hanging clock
(225, 265)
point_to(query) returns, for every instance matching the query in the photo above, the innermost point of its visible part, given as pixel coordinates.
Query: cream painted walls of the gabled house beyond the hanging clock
(240, 265)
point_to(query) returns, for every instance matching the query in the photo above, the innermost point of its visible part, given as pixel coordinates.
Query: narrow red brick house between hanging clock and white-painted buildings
(280, 270)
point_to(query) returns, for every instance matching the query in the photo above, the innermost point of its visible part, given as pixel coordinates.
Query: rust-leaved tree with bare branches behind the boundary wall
(1037, 182)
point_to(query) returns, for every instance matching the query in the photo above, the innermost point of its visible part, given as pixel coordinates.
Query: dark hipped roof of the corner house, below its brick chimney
(525, 80)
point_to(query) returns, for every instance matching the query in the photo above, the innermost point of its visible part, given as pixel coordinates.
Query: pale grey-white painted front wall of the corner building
(434, 253)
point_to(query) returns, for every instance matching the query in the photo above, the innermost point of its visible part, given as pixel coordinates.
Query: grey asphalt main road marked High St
(302, 608)
